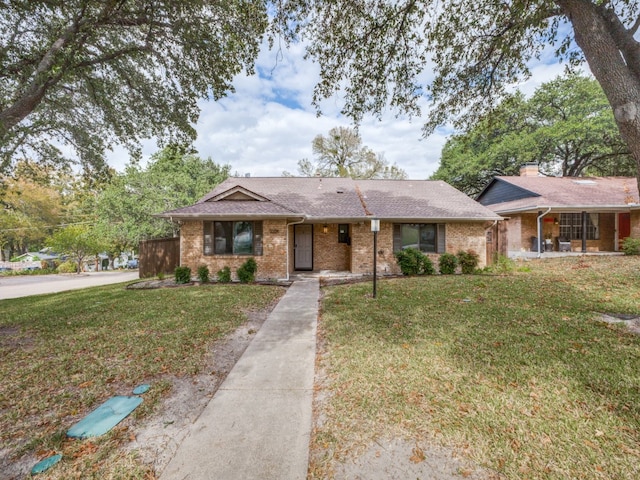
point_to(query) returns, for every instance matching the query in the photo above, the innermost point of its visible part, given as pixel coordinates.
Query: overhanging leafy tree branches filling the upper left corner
(91, 73)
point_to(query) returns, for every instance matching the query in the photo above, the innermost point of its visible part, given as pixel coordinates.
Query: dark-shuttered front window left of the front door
(232, 238)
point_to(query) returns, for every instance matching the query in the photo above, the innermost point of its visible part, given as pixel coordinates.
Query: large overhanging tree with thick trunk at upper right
(379, 53)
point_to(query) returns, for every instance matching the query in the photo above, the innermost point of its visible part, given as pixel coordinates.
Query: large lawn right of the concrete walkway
(514, 371)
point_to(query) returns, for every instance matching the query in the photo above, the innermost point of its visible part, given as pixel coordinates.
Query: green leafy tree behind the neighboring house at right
(566, 127)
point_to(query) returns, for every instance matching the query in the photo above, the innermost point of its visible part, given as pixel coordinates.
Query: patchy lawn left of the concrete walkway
(64, 354)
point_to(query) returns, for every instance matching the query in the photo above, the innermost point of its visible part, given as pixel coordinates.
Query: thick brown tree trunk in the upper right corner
(612, 55)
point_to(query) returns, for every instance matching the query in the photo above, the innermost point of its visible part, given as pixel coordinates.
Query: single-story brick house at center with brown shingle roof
(291, 224)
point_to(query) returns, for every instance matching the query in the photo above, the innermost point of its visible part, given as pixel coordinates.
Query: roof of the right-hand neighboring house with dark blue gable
(512, 194)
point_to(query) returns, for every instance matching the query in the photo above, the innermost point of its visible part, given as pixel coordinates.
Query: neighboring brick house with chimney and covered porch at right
(576, 214)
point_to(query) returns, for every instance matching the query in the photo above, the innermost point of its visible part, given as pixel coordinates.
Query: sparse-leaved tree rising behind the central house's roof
(341, 154)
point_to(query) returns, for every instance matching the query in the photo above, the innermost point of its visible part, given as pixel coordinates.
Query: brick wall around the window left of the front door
(271, 264)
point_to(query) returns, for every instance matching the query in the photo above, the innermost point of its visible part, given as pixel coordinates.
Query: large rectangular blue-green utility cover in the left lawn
(105, 417)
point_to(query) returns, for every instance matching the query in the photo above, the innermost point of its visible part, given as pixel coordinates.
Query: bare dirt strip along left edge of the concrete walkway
(157, 439)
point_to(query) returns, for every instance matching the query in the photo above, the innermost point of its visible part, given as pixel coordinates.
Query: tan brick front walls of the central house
(328, 253)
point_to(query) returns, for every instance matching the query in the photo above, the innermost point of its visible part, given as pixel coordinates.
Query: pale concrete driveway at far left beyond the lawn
(25, 285)
